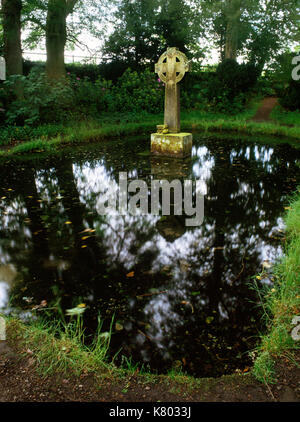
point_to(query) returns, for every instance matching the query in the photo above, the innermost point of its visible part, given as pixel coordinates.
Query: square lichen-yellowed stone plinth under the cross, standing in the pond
(171, 144)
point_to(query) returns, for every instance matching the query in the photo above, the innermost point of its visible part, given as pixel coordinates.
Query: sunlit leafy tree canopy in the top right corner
(255, 28)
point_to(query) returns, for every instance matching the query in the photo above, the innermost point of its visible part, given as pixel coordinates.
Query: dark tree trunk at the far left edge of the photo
(11, 18)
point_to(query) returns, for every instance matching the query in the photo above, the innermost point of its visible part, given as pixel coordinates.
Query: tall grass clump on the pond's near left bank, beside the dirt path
(60, 347)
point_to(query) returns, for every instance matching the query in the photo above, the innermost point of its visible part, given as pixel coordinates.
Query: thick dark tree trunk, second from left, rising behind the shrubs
(56, 37)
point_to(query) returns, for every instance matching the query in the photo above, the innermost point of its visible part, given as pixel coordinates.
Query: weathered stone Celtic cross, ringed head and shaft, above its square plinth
(171, 68)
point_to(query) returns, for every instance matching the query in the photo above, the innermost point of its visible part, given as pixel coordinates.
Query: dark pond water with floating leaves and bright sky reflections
(180, 295)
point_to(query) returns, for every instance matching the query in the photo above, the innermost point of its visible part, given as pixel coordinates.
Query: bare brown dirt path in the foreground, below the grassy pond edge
(20, 382)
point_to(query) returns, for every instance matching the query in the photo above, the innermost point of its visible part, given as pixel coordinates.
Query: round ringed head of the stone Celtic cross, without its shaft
(172, 65)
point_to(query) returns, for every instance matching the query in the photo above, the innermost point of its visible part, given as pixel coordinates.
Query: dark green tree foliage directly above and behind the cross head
(144, 28)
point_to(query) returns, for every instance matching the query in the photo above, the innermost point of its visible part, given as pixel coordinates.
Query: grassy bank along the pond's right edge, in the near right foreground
(281, 303)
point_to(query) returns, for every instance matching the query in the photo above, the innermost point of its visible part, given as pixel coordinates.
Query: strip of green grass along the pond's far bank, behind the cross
(52, 137)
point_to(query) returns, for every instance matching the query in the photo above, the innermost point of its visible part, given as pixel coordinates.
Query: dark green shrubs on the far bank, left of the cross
(75, 97)
